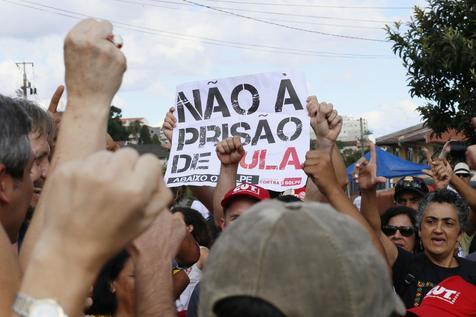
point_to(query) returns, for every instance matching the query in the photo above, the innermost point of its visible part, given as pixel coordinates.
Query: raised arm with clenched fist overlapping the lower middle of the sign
(229, 151)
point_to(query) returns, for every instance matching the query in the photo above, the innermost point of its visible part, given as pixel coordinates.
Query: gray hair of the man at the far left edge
(15, 148)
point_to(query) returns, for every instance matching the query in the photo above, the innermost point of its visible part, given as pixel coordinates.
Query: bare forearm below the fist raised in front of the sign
(226, 181)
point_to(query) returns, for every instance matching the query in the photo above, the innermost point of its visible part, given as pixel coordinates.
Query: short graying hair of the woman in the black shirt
(445, 196)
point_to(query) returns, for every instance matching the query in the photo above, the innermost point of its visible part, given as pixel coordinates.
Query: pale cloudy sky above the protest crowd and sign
(157, 63)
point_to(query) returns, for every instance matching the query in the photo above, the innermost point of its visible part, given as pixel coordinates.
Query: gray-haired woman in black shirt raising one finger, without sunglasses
(441, 217)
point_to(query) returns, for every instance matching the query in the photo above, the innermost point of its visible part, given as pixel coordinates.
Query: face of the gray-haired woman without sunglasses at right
(439, 230)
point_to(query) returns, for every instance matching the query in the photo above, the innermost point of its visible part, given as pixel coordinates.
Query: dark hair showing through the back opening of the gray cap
(239, 306)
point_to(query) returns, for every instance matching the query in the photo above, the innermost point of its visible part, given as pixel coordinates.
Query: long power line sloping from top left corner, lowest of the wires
(210, 41)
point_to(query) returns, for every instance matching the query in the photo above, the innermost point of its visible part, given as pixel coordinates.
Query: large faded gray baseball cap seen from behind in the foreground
(306, 259)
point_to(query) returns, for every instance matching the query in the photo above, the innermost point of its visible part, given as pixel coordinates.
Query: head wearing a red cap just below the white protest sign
(239, 199)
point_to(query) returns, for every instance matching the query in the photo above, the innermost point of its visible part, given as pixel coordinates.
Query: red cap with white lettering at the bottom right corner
(452, 297)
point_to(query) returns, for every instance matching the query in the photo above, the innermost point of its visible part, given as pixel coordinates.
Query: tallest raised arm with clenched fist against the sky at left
(94, 69)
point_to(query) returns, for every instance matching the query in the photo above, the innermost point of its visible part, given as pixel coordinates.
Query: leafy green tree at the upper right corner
(438, 50)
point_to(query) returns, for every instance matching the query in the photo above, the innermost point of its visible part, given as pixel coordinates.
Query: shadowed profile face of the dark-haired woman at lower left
(125, 286)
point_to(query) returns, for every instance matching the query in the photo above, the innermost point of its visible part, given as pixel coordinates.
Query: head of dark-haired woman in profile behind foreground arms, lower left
(114, 284)
